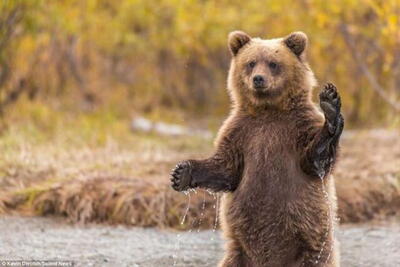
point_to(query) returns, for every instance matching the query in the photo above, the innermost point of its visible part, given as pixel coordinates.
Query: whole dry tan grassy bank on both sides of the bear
(128, 184)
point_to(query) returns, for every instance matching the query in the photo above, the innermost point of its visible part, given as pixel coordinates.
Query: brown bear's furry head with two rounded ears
(268, 72)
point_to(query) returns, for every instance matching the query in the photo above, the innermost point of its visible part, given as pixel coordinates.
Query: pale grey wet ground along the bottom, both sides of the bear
(99, 245)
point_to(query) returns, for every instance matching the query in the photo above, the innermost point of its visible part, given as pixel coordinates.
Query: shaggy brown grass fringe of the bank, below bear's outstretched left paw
(113, 200)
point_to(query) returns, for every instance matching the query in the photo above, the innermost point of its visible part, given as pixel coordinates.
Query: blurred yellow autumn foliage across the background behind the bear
(171, 54)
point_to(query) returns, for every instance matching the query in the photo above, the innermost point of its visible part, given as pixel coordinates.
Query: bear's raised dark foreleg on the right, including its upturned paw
(321, 154)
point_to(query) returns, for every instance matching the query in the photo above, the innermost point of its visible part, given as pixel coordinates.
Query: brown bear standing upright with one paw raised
(273, 159)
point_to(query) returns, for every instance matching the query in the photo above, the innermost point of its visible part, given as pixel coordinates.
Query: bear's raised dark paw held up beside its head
(330, 104)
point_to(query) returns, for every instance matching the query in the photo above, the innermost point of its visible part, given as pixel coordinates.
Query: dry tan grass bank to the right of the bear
(368, 176)
